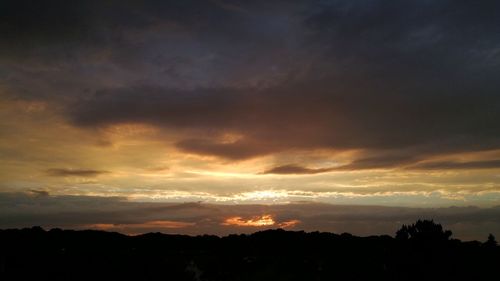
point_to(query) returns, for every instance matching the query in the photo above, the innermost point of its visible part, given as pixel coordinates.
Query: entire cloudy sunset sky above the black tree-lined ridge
(250, 113)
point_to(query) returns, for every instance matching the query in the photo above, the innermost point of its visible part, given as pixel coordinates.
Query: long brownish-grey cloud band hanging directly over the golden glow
(301, 117)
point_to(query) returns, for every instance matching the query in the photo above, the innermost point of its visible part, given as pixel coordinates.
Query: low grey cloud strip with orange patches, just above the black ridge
(21, 210)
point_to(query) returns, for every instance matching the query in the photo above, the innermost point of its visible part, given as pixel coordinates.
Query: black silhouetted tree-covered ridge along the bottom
(422, 251)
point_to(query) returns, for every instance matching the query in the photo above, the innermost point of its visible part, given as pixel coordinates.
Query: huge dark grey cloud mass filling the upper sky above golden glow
(416, 79)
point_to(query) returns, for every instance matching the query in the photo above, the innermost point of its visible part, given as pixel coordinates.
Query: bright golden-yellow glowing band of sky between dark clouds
(141, 164)
